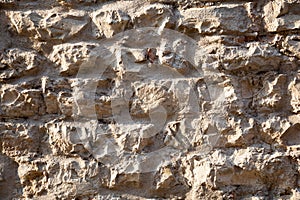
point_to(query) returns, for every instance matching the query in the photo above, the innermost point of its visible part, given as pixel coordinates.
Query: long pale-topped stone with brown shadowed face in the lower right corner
(224, 174)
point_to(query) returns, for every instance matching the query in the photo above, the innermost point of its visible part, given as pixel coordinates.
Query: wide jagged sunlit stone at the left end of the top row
(42, 25)
